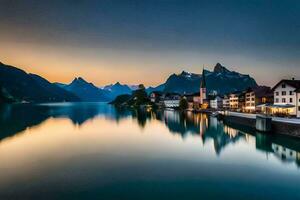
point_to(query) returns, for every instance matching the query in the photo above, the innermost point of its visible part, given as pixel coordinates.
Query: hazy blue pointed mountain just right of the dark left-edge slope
(86, 91)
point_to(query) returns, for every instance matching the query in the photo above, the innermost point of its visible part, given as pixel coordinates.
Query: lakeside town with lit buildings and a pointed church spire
(283, 100)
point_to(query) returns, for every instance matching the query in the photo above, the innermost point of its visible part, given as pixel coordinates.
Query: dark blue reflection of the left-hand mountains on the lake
(19, 117)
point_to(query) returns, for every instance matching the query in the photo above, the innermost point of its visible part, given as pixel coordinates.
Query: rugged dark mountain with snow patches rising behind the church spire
(220, 79)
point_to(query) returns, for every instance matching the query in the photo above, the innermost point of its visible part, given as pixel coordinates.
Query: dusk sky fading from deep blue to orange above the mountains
(145, 41)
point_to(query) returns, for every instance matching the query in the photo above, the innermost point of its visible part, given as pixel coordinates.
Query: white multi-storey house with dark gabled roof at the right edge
(286, 98)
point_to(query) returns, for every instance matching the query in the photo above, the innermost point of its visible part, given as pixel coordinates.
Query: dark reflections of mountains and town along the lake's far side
(17, 118)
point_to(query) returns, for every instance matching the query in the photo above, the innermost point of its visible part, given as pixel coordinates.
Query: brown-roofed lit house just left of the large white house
(256, 97)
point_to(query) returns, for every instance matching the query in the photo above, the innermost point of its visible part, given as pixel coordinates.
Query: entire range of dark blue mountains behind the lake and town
(18, 85)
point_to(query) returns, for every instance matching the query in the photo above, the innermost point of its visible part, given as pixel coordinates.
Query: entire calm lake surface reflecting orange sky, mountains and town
(93, 151)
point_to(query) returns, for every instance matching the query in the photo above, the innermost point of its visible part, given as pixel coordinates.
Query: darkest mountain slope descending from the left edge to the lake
(29, 87)
